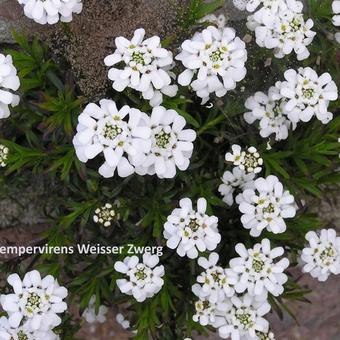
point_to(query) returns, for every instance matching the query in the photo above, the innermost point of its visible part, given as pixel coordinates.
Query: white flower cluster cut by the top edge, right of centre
(280, 25)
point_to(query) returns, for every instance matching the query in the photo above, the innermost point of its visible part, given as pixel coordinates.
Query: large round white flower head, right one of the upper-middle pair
(214, 60)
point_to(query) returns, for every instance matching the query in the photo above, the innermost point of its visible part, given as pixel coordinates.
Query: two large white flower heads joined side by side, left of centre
(131, 141)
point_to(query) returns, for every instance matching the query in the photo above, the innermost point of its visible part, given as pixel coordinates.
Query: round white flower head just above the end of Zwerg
(191, 231)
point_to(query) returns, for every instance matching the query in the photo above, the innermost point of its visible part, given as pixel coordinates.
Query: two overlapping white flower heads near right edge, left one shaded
(301, 96)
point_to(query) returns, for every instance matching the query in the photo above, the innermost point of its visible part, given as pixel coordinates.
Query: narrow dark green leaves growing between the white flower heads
(39, 136)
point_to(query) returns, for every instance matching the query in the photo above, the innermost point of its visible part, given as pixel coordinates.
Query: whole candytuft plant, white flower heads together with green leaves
(223, 177)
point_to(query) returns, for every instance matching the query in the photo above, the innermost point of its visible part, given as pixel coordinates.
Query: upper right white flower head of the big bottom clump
(258, 271)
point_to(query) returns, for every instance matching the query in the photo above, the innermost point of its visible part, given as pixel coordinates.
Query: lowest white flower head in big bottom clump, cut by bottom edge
(243, 318)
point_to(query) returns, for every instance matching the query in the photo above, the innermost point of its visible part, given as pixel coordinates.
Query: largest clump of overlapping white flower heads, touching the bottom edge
(234, 300)
